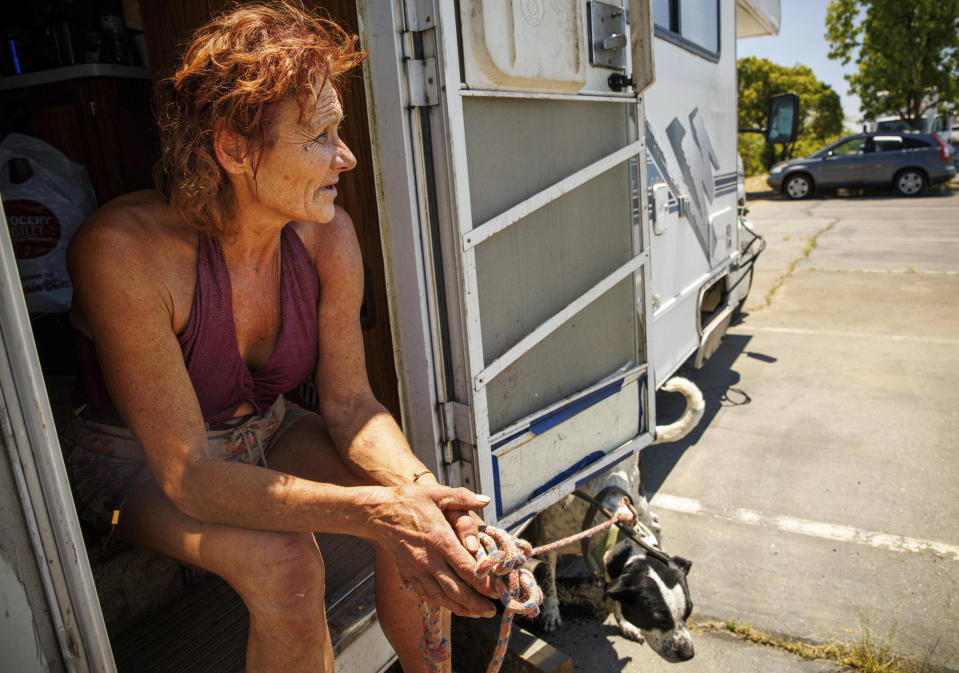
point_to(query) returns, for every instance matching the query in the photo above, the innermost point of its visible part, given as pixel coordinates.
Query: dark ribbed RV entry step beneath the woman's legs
(205, 630)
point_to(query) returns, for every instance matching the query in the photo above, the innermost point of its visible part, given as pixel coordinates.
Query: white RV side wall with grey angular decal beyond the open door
(691, 135)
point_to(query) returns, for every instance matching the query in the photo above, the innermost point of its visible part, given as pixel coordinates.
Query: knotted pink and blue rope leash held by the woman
(503, 556)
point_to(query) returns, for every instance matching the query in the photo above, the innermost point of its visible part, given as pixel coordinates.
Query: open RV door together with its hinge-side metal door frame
(511, 168)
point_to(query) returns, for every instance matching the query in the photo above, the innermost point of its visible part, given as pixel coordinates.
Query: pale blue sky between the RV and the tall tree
(802, 39)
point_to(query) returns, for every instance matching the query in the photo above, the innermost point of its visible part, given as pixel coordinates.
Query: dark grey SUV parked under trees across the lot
(906, 161)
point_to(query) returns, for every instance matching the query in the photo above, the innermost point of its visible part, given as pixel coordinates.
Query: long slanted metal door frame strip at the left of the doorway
(33, 449)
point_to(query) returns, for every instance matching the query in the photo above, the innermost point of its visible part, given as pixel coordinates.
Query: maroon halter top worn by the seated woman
(220, 377)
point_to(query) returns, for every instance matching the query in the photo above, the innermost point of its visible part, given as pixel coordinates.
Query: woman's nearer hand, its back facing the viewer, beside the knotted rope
(411, 522)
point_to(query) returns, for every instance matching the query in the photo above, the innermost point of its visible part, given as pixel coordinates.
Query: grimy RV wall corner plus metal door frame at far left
(51, 616)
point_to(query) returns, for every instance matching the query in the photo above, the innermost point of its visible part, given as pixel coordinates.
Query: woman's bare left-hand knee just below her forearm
(282, 573)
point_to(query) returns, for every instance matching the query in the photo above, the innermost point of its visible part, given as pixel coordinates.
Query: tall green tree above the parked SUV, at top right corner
(907, 54)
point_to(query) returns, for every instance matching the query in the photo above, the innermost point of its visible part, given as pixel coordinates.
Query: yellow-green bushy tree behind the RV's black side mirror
(820, 111)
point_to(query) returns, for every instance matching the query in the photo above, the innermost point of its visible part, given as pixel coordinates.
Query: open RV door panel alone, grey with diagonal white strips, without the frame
(547, 253)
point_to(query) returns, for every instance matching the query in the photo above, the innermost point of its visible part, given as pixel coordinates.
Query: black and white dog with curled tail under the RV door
(650, 597)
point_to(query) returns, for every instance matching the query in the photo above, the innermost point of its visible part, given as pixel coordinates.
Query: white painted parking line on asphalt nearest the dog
(826, 531)
